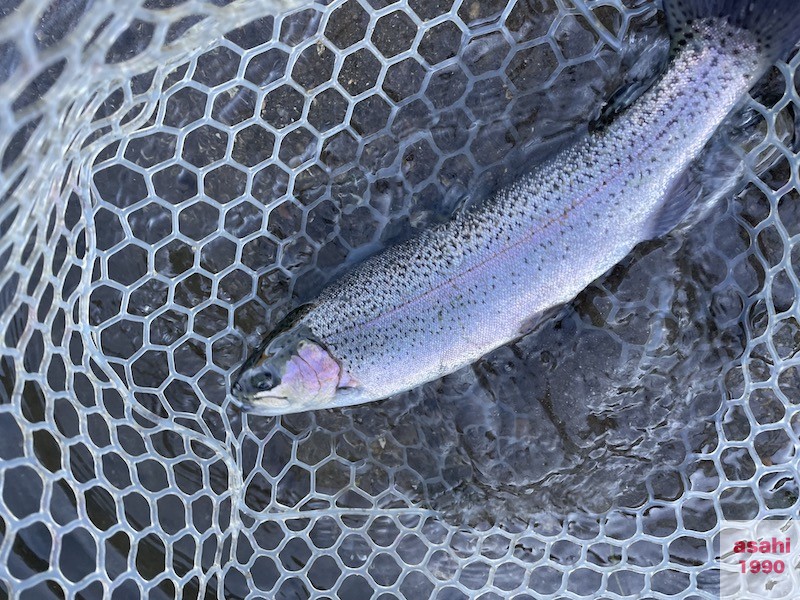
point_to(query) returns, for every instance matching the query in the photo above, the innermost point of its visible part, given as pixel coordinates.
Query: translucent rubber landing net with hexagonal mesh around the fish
(177, 175)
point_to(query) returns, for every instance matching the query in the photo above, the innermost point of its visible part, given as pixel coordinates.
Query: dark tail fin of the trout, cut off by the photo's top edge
(774, 23)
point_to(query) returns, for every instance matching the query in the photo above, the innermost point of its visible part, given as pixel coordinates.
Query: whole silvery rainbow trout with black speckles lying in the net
(443, 299)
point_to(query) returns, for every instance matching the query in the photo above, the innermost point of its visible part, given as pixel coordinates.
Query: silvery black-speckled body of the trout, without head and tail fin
(443, 299)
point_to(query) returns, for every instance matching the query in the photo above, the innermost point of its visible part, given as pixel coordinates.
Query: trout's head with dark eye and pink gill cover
(292, 373)
